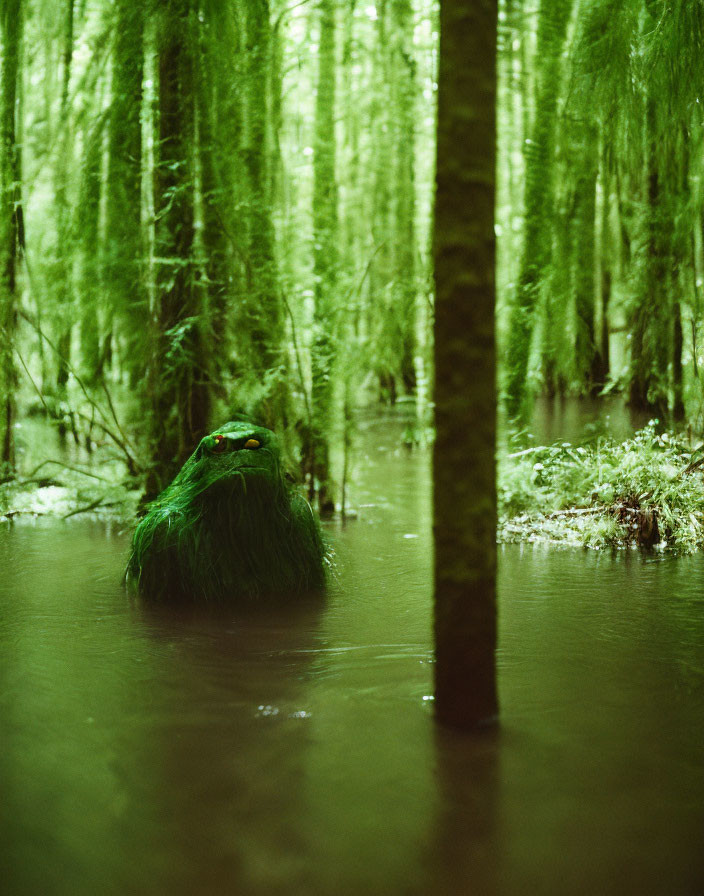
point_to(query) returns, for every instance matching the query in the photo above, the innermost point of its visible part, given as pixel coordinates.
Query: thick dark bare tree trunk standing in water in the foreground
(464, 473)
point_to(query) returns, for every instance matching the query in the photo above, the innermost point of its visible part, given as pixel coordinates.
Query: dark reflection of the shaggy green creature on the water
(225, 775)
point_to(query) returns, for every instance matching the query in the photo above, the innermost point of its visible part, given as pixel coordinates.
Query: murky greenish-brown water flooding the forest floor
(158, 753)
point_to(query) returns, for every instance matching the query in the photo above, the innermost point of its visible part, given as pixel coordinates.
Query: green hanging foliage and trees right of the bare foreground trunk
(602, 133)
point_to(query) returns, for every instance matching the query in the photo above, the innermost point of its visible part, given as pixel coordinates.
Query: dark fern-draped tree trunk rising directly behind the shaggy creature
(179, 381)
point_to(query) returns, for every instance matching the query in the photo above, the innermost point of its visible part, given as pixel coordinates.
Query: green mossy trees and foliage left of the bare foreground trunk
(196, 181)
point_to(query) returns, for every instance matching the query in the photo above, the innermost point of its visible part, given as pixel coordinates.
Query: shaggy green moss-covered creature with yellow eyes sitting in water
(229, 528)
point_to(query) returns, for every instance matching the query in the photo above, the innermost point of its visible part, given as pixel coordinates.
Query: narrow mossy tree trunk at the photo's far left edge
(10, 222)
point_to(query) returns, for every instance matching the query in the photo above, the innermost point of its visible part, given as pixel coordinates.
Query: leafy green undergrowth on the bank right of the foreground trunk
(647, 491)
